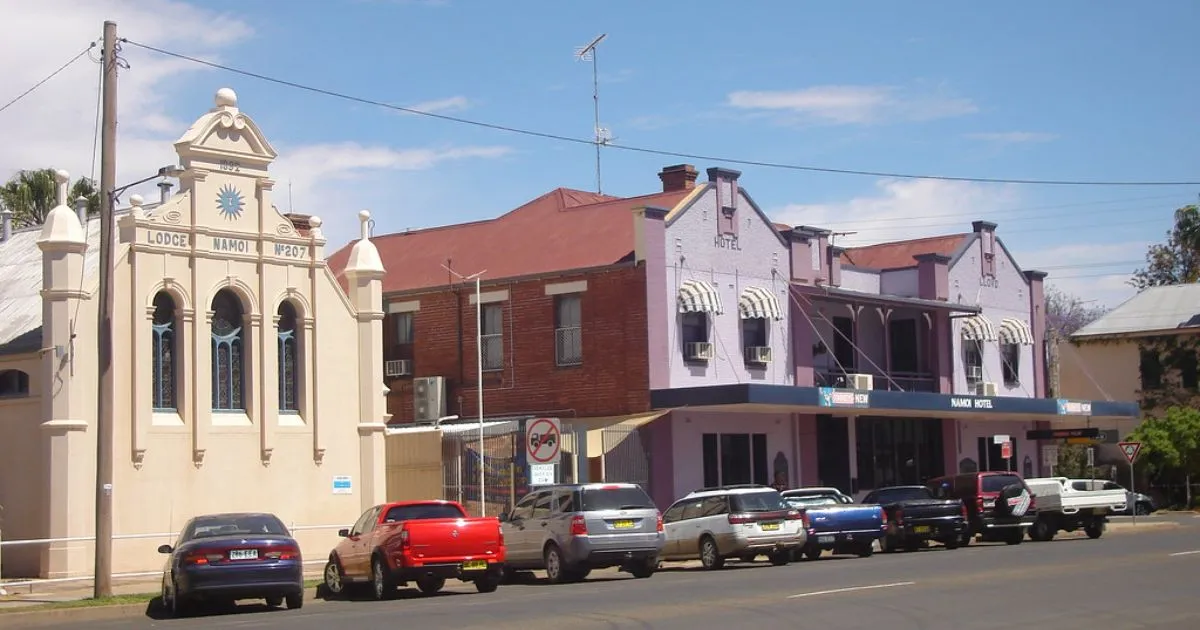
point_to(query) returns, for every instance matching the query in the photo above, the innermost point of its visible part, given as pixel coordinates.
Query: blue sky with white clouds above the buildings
(1069, 91)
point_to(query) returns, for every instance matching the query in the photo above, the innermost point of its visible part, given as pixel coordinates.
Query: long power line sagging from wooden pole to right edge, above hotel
(644, 149)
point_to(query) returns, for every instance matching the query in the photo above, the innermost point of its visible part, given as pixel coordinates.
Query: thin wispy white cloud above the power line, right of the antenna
(843, 105)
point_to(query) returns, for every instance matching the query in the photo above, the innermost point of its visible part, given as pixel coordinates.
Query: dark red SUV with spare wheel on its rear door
(999, 505)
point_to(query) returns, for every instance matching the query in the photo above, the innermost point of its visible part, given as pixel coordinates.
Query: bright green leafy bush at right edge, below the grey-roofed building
(1171, 446)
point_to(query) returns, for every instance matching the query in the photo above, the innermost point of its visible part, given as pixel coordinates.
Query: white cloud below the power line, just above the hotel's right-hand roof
(903, 209)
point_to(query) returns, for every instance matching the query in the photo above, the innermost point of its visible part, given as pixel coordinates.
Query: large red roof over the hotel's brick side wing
(560, 231)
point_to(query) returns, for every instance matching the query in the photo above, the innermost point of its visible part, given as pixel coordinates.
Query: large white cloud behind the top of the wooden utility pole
(55, 127)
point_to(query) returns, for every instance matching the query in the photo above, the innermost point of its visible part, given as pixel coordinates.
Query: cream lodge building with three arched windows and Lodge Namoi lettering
(245, 377)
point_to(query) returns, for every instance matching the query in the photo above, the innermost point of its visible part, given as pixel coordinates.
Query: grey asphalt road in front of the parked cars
(1124, 580)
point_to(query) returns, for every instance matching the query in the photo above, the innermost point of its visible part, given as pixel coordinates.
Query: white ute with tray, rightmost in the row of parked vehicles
(1061, 508)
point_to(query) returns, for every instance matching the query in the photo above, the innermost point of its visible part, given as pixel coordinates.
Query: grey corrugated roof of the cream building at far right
(1153, 310)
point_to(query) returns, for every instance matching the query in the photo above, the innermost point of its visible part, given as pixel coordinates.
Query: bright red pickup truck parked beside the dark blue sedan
(424, 542)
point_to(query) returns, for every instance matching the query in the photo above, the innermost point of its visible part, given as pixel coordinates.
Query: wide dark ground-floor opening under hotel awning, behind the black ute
(896, 452)
